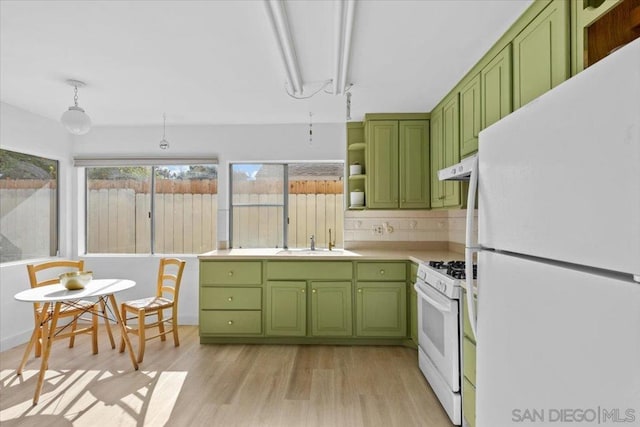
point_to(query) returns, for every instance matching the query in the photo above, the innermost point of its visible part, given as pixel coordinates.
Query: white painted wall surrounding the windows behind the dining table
(32, 134)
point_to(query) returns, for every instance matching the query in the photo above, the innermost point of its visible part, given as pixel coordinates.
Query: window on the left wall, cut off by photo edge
(28, 206)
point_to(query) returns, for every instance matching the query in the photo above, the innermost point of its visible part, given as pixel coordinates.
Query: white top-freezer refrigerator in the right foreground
(558, 315)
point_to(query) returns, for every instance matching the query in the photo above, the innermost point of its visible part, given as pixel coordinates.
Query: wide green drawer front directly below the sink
(310, 270)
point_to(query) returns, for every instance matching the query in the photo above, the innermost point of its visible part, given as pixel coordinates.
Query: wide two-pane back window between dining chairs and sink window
(152, 208)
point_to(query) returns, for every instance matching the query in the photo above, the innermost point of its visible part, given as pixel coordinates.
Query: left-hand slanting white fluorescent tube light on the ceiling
(280, 26)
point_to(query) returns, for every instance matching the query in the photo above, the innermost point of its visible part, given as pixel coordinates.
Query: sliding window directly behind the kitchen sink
(307, 197)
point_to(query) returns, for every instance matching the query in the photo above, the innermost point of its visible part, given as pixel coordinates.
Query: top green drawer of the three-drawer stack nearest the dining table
(230, 272)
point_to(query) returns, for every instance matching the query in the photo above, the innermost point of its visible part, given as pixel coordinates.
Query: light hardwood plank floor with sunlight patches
(220, 385)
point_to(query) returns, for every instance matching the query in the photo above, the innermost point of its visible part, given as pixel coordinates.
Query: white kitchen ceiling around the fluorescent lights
(216, 62)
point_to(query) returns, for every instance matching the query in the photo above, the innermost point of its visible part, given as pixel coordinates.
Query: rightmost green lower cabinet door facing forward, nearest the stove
(381, 309)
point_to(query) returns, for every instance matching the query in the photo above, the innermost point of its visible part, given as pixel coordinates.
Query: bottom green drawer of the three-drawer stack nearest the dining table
(231, 322)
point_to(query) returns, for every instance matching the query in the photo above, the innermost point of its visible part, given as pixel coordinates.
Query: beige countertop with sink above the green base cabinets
(403, 254)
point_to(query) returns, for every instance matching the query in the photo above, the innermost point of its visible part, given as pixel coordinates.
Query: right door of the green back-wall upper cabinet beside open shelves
(414, 164)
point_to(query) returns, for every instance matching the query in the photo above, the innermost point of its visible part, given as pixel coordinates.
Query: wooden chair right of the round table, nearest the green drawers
(166, 298)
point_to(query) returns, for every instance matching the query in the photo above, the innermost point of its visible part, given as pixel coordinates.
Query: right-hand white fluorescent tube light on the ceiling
(344, 13)
